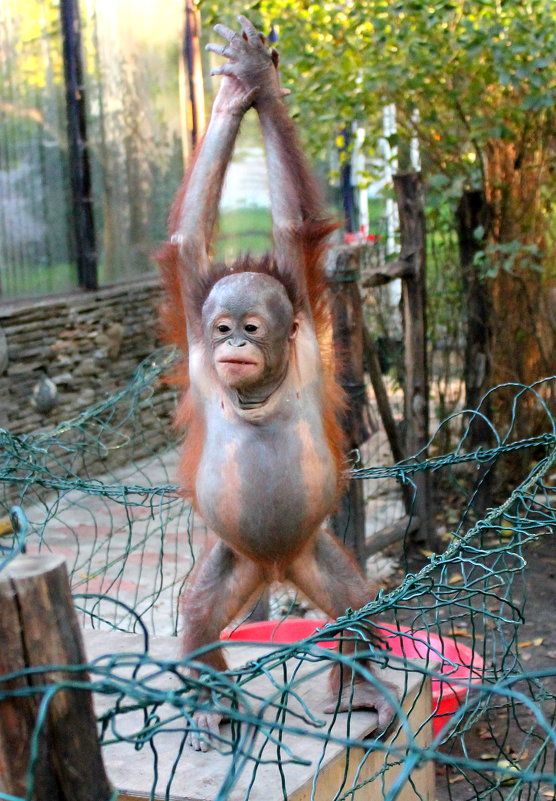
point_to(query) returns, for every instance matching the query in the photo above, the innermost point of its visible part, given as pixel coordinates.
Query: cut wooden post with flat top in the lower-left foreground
(38, 629)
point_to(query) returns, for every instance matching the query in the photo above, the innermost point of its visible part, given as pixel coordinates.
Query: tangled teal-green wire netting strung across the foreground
(99, 491)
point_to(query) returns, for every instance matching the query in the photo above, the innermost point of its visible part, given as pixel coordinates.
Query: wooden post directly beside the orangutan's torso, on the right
(347, 313)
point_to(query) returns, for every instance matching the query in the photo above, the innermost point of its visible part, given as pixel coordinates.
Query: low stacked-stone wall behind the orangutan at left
(60, 355)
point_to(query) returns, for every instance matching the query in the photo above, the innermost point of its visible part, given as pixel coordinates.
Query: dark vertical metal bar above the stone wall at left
(80, 173)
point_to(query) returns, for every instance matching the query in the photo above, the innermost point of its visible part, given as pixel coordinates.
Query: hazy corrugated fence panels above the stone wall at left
(130, 102)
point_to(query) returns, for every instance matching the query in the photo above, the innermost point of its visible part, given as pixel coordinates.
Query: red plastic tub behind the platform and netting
(459, 663)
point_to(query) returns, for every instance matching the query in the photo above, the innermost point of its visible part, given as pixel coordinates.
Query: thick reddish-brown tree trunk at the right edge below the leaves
(523, 333)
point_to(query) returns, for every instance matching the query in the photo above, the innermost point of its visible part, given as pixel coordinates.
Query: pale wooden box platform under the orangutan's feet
(198, 776)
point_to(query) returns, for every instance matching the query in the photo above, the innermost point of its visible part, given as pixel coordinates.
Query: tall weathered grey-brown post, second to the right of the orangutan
(409, 196)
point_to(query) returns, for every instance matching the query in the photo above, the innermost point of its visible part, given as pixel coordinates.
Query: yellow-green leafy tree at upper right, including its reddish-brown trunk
(475, 81)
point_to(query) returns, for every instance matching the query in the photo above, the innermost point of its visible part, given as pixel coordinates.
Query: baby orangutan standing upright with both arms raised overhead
(263, 452)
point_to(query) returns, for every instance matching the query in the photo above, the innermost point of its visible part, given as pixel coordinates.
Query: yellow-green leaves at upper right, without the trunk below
(475, 71)
